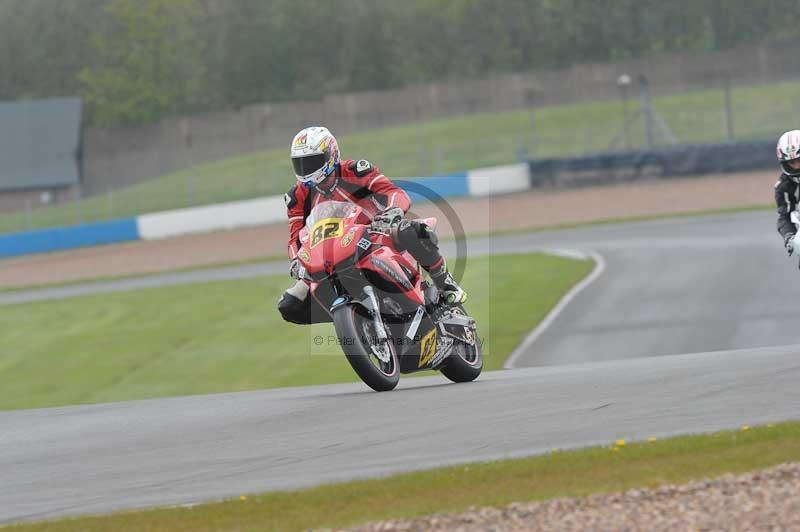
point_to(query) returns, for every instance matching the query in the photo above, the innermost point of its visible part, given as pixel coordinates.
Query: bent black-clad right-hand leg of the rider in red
(421, 241)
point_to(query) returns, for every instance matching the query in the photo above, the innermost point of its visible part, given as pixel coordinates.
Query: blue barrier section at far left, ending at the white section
(59, 238)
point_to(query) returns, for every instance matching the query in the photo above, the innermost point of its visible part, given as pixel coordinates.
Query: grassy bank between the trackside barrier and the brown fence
(438, 146)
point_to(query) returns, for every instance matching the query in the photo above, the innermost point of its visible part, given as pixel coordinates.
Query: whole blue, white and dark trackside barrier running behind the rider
(603, 168)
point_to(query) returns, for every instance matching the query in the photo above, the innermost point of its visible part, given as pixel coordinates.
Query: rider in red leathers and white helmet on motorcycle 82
(323, 176)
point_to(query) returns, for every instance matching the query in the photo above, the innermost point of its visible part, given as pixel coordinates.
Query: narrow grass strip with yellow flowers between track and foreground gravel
(558, 474)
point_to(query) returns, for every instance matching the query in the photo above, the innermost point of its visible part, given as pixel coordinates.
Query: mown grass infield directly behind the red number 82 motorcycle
(228, 336)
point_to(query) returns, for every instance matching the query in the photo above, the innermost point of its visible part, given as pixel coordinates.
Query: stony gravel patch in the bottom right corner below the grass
(763, 500)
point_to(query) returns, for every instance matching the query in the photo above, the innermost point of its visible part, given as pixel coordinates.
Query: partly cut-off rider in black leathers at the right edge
(787, 189)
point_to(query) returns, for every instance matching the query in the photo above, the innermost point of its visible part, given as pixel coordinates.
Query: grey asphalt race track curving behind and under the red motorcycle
(686, 285)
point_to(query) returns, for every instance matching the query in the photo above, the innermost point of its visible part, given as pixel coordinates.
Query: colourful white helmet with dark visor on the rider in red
(315, 154)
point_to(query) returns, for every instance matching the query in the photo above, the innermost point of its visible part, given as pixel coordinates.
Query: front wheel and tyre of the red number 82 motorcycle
(355, 330)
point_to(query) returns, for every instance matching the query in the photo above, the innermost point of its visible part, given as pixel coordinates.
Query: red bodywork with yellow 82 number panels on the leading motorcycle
(341, 257)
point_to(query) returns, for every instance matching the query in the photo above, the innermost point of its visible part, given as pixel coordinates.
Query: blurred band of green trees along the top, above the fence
(137, 61)
